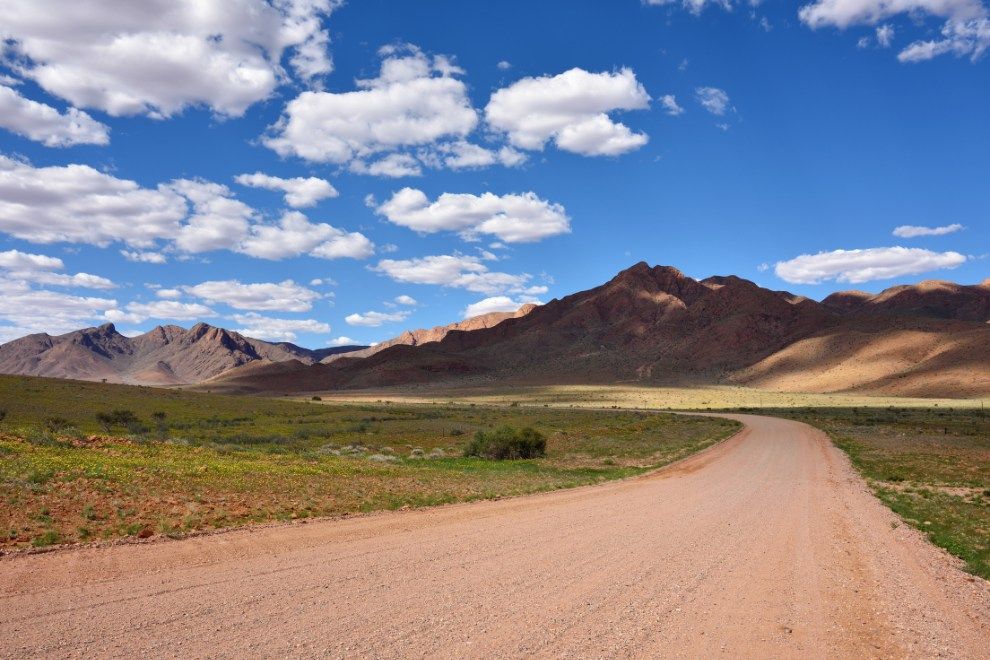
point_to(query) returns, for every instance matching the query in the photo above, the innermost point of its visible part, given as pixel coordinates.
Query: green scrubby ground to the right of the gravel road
(930, 465)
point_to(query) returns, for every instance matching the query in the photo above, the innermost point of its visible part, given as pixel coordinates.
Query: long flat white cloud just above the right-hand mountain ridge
(856, 266)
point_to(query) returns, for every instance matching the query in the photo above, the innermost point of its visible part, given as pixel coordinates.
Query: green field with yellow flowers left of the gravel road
(213, 461)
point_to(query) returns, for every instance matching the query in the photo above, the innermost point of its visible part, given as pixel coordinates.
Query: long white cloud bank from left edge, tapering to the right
(78, 204)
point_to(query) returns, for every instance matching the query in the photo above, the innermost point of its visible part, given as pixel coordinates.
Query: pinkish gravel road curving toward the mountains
(767, 545)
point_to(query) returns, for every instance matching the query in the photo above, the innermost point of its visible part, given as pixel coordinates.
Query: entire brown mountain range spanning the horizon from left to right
(649, 325)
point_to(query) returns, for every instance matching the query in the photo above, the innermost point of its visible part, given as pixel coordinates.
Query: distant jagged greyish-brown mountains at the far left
(167, 355)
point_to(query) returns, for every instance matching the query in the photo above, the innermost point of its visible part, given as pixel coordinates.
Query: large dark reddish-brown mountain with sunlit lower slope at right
(655, 325)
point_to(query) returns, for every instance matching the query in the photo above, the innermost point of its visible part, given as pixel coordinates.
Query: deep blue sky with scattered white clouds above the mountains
(448, 157)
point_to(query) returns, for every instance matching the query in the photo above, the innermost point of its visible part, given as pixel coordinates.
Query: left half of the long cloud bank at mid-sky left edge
(78, 204)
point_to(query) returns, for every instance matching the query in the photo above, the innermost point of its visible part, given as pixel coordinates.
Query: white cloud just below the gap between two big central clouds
(513, 218)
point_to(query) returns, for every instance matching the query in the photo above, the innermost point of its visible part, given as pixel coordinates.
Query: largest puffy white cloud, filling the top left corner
(159, 56)
